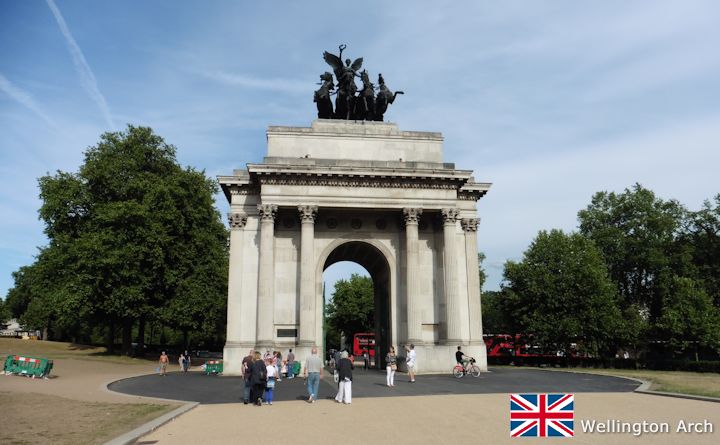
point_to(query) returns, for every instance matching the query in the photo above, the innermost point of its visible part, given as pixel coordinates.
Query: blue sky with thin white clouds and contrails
(550, 101)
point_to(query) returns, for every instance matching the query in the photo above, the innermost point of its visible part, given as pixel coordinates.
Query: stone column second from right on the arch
(452, 298)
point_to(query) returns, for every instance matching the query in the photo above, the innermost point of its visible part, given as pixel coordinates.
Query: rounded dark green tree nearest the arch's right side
(561, 293)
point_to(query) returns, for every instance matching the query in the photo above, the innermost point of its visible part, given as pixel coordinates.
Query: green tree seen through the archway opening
(351, 309)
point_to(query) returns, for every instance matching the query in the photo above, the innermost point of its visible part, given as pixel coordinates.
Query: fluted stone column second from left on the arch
(266, 276)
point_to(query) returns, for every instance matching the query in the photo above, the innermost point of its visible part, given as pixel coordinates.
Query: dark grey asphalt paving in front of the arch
(197, 387)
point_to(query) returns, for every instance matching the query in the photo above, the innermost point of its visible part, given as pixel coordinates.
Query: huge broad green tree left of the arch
(136, 237)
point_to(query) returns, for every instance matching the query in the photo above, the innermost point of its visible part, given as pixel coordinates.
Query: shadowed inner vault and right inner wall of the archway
(369, 255)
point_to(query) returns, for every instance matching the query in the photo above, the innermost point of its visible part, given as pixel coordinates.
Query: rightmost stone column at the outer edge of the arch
(470, 226)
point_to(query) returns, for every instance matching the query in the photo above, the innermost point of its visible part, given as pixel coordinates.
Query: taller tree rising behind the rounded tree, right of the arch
(637, 234)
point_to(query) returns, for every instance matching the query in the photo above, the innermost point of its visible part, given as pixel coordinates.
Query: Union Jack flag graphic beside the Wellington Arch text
(542, 415)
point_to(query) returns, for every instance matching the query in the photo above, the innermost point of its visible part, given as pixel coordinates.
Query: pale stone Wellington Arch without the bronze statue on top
(354, 191)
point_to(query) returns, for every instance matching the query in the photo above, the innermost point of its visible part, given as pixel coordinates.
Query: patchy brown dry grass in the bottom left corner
(44, 419)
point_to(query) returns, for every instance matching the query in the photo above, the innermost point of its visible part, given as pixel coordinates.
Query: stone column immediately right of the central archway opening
(412, 217)
